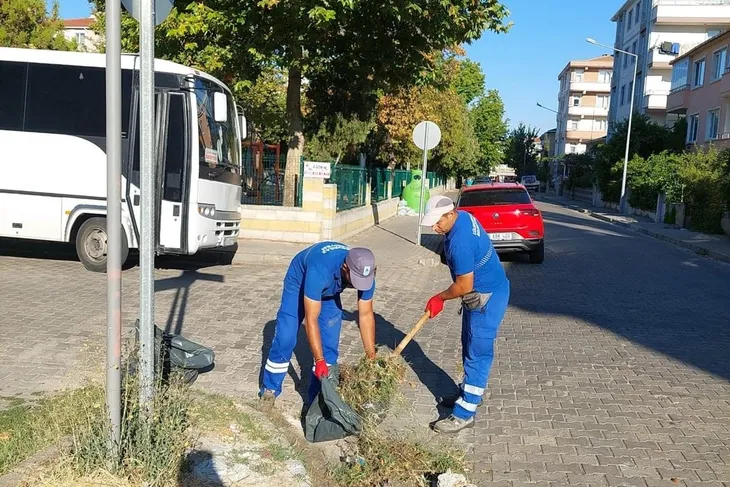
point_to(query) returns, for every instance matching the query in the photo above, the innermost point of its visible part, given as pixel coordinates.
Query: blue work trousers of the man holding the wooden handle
(478, 331)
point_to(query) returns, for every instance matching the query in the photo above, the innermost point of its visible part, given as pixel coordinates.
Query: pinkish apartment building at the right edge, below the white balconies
(700, 91)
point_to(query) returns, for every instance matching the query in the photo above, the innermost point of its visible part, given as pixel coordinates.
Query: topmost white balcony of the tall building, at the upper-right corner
(691, 12)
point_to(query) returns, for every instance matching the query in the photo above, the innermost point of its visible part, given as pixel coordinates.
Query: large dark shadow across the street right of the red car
(653, 295)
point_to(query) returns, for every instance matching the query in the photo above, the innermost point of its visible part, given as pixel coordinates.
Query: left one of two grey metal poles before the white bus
(114, 221)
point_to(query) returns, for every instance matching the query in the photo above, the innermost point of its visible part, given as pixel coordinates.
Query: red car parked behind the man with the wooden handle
(508, 214)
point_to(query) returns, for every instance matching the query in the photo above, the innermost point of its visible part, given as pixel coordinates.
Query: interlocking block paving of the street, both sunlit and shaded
(610, 368)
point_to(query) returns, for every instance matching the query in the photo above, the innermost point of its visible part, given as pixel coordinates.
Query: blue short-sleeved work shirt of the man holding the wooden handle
(468, 248)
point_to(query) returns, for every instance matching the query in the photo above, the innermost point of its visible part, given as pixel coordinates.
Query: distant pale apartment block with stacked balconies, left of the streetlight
(583, 101)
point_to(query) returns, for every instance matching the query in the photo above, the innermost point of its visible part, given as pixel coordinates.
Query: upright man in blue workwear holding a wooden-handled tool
(482, 285)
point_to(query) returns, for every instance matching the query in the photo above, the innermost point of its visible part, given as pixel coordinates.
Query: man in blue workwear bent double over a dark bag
(312, 286)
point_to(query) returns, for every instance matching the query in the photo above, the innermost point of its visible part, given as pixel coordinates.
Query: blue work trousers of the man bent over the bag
(288, 319)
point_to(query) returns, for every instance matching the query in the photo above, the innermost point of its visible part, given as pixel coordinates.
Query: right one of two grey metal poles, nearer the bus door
(147, 203)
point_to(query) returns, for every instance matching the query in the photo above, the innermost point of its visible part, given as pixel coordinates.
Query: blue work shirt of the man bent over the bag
(317, 271)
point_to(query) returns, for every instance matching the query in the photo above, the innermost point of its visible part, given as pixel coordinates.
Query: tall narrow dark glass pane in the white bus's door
(175, 156)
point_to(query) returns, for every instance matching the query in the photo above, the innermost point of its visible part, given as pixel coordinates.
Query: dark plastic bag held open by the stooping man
(329, 417)
